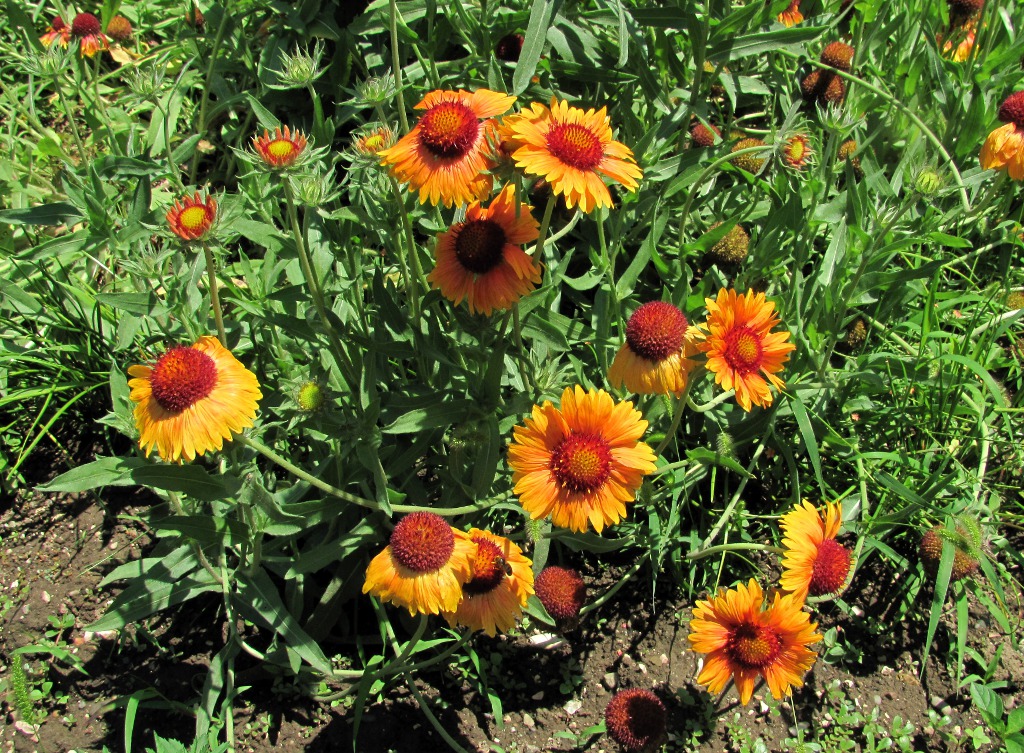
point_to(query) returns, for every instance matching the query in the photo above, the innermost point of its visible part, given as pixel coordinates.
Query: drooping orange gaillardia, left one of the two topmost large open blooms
(445, 157)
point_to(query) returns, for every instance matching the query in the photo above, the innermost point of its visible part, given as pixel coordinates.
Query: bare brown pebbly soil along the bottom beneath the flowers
(57, 550)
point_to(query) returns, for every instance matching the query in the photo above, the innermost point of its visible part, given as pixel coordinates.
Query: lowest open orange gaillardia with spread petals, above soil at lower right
(745, 641)
